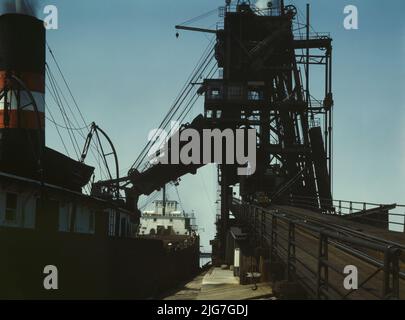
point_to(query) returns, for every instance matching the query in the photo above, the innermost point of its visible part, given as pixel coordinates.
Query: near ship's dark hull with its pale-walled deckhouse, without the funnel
(101, 262)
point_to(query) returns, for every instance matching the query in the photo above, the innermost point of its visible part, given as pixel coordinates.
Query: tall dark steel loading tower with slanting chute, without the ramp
(265, 86)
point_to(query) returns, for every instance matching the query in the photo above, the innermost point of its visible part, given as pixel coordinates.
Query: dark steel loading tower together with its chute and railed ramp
(266, 58)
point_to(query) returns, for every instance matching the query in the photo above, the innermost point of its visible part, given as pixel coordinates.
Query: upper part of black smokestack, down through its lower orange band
(22, 54)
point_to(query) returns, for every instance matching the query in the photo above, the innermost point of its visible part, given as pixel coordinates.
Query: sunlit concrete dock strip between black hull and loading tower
(218, 284)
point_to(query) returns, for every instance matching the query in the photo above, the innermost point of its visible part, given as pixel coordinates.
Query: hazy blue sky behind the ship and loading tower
(126, 66)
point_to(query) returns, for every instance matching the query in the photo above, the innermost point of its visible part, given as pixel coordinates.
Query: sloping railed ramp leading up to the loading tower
(322, 257)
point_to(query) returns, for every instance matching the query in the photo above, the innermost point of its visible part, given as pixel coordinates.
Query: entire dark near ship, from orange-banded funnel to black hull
(46, 220)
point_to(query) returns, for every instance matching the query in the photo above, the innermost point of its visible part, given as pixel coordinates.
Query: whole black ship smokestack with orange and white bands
(22, 90)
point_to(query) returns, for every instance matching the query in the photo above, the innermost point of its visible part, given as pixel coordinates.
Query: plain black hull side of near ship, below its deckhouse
(90, 267)
